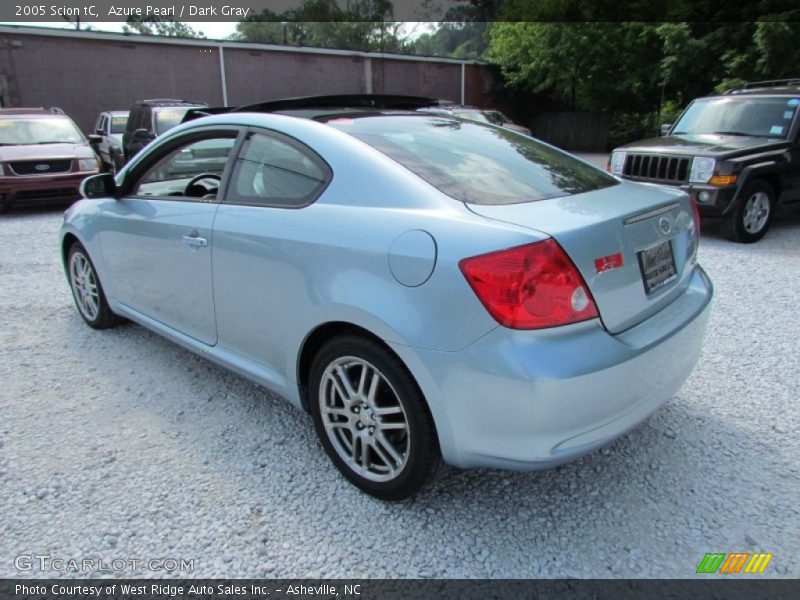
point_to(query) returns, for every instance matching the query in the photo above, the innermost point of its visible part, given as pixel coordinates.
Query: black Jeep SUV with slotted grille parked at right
(737, 155)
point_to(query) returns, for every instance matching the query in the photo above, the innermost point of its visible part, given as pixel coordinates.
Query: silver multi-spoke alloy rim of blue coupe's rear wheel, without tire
(364, 419)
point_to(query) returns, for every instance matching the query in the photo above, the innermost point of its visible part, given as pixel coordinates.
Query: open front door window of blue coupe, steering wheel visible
(192, 171)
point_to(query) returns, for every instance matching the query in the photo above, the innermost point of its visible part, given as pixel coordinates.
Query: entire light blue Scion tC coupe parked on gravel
(428, 288)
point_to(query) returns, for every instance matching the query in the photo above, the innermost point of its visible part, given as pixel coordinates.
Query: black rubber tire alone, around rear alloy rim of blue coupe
(424, 457)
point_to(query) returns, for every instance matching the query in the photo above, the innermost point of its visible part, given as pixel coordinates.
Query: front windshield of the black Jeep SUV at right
(759, 117)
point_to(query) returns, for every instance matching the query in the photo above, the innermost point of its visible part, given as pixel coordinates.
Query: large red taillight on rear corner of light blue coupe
(530, 287)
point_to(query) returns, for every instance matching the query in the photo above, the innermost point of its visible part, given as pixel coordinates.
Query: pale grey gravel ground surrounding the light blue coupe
(119, 445)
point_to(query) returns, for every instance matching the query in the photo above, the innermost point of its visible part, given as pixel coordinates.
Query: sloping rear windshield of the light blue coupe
(475, 163)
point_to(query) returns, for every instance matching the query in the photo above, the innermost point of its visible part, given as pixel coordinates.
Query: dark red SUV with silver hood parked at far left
(43, 157)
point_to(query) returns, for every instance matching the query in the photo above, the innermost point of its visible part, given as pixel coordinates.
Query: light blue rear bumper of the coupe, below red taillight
(531, 400)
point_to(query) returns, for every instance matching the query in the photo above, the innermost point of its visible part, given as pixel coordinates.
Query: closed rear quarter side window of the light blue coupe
(275, 171)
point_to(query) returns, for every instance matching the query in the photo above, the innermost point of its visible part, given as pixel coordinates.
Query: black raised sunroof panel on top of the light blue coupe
(385, 101)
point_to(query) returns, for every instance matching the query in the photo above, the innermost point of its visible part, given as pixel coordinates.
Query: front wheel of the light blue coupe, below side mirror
(87, 290)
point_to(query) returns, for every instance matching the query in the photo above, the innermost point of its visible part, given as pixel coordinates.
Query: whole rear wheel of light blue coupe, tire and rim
(372, 419)
